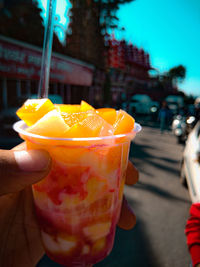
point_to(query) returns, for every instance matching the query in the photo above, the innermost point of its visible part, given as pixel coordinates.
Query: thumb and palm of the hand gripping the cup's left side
(19, 233)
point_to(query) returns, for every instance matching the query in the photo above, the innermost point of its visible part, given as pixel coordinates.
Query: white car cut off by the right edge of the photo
(190, 169)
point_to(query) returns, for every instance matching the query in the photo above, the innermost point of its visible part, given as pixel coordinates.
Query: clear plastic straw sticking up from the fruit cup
(47, 49)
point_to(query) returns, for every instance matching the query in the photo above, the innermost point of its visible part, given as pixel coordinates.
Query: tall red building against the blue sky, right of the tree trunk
(129, 68)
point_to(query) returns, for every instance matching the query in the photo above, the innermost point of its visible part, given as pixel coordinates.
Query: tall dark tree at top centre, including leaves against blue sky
(89, 24)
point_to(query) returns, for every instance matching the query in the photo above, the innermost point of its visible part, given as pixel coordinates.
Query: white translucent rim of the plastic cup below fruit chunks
(20, 127)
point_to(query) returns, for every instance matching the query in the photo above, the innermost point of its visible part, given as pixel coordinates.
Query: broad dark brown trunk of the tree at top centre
(84, 38)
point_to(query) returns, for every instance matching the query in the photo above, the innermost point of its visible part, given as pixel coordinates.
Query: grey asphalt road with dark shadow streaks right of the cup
(161, 205)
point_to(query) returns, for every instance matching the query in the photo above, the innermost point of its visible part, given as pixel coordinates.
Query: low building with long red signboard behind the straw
(20, 72)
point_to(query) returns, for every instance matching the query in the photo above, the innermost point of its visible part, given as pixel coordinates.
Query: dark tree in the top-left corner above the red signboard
(22, 20)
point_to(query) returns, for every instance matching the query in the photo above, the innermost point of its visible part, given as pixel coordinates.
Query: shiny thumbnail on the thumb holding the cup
(32, 160)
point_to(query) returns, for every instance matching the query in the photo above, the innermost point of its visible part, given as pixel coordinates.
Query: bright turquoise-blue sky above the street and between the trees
(168, 30)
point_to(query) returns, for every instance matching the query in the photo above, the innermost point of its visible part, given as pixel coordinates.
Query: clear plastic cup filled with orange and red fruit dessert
(78, 204)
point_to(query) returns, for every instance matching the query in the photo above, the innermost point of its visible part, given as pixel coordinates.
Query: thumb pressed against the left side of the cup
(19, 169)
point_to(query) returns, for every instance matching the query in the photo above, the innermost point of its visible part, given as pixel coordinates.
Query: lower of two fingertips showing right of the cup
(127, 218)
